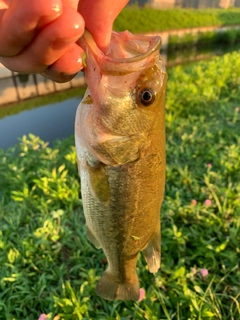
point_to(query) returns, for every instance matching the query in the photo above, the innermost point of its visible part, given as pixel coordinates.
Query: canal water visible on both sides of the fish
(51, 121)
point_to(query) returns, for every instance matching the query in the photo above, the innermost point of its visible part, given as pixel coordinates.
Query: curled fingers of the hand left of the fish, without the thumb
(39, 36)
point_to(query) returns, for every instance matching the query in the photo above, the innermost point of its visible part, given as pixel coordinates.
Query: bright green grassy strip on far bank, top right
(139, 20)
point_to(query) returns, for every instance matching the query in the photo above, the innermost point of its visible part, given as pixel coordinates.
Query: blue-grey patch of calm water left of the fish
(50, 122)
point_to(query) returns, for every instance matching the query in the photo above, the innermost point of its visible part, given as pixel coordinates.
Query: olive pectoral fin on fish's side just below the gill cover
(98, 182)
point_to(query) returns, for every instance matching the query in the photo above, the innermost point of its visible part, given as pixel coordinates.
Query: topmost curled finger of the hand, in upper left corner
(21, 20)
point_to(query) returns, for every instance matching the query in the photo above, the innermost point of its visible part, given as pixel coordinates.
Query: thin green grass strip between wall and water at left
(39, 101)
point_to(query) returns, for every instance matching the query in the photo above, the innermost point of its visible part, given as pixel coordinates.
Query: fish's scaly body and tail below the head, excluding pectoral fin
(128, 222)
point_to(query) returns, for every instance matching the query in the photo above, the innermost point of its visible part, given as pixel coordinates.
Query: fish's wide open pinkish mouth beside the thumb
(126, 53)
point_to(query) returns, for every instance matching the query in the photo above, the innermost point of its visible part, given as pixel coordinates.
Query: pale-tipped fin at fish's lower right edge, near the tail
(152, 253)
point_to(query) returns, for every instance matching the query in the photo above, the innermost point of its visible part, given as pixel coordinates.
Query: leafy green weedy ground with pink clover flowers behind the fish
(48, 267)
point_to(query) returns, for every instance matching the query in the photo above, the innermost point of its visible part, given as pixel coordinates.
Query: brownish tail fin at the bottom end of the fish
(110, 288)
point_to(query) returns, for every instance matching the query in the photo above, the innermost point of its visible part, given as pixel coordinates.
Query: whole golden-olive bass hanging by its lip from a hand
(120, 146)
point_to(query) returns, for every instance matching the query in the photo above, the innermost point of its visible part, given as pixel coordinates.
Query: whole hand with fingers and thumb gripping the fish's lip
(40, 36)
